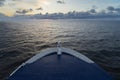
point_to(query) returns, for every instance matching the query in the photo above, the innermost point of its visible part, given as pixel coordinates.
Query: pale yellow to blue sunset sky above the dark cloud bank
(31, 7)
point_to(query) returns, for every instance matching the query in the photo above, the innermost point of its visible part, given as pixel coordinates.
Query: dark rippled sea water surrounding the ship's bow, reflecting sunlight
(97, 39)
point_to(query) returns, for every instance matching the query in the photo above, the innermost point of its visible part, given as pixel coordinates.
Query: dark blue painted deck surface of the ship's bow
(64, 67)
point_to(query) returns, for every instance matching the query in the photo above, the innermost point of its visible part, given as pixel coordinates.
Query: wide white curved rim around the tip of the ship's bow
(52, 50)
